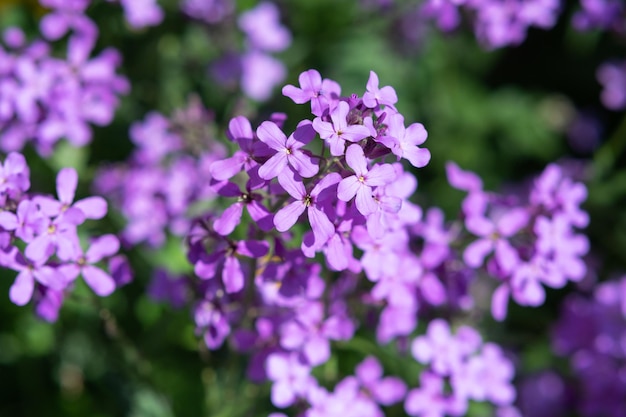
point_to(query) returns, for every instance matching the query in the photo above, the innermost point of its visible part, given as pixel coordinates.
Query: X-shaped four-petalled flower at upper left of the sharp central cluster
(288, 150)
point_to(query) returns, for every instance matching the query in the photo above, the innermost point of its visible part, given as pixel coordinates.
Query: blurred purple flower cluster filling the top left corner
(44, 98)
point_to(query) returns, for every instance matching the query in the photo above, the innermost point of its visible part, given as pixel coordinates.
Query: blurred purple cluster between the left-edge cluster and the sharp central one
(157, 188)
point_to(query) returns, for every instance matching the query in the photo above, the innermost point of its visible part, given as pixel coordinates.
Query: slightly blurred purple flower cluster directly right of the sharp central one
(525, 243)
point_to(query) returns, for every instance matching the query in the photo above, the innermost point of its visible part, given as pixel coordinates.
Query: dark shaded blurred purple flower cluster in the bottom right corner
(592, 333)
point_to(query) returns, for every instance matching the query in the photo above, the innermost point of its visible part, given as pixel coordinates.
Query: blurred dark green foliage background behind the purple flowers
(503, 114)
